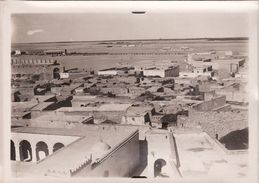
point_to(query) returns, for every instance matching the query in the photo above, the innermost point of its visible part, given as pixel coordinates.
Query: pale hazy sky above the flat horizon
(85, 27)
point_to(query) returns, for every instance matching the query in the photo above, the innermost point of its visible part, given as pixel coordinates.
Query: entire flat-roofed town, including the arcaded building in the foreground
(129, 120)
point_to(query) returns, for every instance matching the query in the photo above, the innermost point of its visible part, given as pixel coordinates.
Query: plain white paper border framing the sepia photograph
(8, 8)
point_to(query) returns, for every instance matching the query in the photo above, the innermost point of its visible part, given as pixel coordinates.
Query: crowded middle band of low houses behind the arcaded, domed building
(146, 93)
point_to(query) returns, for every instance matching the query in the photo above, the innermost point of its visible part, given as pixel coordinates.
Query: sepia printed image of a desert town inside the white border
(131, 94)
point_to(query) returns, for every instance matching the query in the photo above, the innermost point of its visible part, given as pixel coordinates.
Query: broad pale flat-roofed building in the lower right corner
(207, 156)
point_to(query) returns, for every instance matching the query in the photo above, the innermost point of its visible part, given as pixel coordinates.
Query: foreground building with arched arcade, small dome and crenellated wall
(91, 151)
